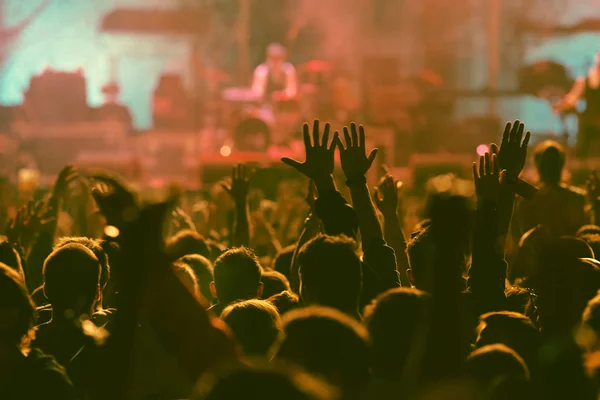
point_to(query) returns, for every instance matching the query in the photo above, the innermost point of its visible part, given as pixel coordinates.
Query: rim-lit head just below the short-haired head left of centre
(255, 324)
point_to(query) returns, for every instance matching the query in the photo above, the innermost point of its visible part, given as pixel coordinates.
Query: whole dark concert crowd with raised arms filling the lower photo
(316, 295)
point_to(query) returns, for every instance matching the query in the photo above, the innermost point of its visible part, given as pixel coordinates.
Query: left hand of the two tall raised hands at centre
(319, 155)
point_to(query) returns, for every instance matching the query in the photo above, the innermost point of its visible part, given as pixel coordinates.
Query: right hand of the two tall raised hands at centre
(355, 161)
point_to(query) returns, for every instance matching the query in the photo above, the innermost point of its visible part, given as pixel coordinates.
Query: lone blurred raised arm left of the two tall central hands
(238, 190)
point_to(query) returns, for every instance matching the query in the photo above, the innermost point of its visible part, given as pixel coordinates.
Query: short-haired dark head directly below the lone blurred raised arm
(237, 275)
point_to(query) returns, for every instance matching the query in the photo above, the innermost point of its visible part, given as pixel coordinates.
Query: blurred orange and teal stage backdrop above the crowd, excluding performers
(161, 90)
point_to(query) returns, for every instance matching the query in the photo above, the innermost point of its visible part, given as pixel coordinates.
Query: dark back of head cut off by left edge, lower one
(17, 311)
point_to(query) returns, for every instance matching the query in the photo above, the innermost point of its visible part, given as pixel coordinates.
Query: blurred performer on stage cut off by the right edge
(585, 88)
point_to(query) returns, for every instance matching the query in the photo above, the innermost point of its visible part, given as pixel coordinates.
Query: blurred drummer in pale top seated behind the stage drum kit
(275, 80)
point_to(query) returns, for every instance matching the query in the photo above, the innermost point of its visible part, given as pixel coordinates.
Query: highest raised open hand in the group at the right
(513, 149)
